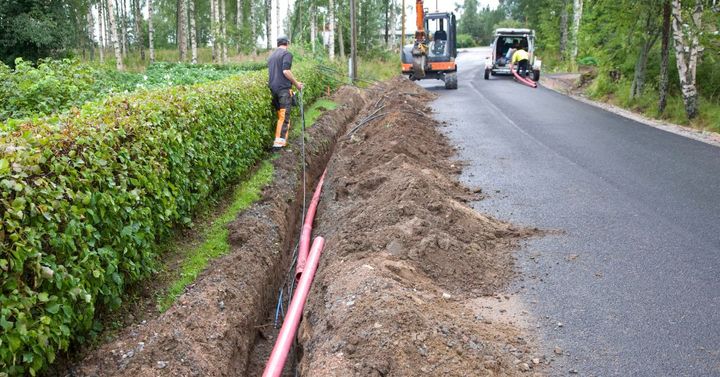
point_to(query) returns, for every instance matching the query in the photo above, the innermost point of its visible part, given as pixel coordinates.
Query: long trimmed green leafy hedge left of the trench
(85, 200)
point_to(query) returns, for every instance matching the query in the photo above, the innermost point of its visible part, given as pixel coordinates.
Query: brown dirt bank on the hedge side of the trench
(211, 329)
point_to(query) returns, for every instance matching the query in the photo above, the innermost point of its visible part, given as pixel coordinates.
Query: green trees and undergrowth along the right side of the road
(632, 53)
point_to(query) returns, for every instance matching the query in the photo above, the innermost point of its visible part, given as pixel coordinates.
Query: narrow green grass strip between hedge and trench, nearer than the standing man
(215, 242)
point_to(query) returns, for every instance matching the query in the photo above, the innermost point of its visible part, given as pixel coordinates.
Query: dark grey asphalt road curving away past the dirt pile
(634, 276)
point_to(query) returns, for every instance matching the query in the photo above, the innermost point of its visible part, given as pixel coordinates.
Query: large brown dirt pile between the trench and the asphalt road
(404, 281)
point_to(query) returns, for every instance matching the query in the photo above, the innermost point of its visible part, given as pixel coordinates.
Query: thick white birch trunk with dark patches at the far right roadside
(687, 49)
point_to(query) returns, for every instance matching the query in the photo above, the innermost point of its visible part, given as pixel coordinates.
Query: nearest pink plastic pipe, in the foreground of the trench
(286, 336)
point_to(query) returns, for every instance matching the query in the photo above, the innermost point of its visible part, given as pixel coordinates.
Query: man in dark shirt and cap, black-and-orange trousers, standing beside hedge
(281, 81)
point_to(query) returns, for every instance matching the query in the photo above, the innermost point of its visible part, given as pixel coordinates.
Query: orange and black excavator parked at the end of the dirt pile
(432, 55)
